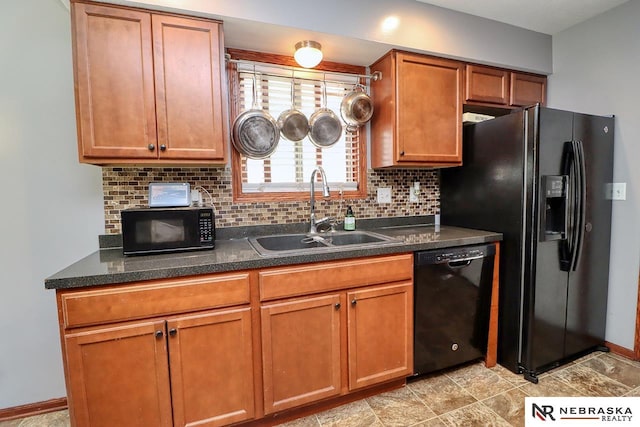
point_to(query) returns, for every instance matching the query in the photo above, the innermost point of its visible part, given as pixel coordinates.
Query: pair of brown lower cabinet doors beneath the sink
(302, 344)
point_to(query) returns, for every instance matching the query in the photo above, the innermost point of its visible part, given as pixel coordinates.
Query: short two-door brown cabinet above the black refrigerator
(504, 88)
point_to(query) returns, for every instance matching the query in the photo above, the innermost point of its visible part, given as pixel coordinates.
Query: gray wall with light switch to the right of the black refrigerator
(595, 70)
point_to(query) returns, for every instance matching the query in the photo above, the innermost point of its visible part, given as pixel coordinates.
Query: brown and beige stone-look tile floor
(471, 395)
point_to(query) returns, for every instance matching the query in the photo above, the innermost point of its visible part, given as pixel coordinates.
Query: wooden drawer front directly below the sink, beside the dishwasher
(327, 276)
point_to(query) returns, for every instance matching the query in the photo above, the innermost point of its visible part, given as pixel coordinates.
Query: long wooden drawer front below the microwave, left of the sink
(149, 299)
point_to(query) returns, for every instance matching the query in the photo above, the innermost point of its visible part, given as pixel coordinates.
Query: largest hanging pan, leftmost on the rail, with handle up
(255, 133)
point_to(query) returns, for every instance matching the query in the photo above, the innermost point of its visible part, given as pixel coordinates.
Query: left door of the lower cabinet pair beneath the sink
(300, 351)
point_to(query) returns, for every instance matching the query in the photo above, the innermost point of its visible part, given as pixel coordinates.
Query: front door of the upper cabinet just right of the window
(429, 103)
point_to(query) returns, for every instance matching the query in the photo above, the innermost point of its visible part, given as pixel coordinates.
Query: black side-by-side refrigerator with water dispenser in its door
(540, 176)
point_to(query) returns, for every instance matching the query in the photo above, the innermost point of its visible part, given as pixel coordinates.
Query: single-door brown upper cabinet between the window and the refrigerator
(418, 111)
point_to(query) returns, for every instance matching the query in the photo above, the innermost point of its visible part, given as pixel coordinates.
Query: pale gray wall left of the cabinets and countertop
(51, 206)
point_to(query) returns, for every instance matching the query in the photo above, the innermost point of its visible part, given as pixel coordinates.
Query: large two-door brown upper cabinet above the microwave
(149, 87)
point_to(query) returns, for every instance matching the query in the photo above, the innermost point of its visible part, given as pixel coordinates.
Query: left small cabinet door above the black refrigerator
(485, 84)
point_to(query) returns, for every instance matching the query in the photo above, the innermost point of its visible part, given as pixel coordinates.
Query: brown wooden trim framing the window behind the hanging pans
(236, 166)
